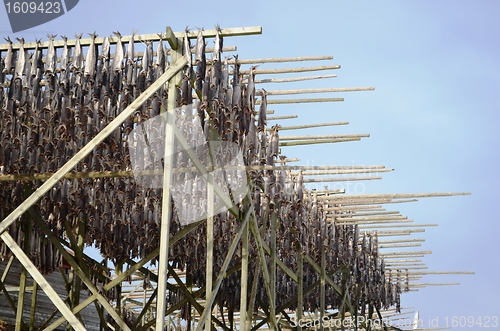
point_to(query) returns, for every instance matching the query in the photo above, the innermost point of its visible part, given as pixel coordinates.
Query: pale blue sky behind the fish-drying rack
(434, 114)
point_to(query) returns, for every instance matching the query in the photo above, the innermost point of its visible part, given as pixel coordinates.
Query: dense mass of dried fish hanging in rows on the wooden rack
(51, 106)
